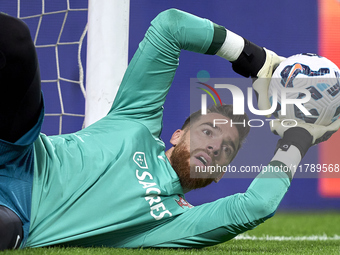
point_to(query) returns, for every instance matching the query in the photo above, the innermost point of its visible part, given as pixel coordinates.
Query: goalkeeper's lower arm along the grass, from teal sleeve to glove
(222, 220)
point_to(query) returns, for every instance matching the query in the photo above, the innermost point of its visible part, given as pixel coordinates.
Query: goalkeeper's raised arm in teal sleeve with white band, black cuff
(150, 73)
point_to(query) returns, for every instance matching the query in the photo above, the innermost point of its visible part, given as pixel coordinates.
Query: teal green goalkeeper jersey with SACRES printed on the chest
(111, 184)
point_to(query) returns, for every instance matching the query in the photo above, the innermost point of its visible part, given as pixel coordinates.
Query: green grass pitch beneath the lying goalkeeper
(285, 233)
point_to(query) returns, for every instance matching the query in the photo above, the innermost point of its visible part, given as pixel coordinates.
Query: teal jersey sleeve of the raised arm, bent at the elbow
(149, 75)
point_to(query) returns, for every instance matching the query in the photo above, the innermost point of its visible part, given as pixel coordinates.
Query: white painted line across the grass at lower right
(288, 238)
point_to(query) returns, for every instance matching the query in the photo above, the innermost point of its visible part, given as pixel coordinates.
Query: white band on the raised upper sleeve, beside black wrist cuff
(232, 46)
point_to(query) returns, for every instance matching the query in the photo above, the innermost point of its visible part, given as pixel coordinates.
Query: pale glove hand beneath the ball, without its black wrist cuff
(319, 133)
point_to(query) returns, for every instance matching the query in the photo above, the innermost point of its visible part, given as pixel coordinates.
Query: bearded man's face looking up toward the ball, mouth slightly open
(203, 146)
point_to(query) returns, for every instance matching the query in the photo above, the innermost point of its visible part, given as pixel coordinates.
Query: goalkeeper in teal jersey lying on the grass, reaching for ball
(112, 184)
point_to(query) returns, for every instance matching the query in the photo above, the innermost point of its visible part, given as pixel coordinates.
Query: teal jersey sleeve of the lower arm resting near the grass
(222, 220)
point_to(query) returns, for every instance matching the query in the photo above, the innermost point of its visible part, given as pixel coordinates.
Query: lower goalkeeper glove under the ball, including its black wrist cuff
(302, 135)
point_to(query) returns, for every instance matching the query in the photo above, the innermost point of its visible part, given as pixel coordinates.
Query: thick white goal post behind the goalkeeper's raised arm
(107, 55)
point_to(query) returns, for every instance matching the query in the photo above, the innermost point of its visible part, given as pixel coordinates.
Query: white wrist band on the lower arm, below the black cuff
(291, 158)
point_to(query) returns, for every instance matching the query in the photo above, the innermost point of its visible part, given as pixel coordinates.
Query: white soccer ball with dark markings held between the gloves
(319, 76)
